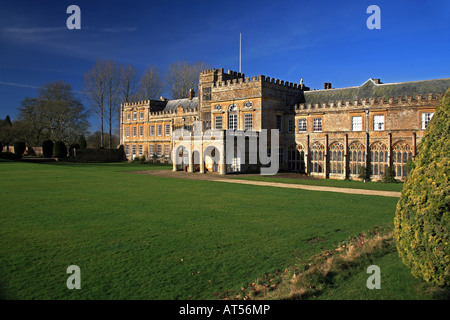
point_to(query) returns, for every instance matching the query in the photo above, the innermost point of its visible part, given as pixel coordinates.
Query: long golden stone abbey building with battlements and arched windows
(329, 133)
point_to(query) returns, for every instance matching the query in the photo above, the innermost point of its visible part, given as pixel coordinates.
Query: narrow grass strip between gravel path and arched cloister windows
(372, 185)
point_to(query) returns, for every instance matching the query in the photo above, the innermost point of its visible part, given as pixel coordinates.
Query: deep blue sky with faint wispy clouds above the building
(319, 41)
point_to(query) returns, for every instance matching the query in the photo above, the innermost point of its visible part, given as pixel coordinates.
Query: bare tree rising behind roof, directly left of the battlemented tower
(183, 76)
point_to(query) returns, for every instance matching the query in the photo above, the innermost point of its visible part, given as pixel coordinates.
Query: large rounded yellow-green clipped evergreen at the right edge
(422, 219)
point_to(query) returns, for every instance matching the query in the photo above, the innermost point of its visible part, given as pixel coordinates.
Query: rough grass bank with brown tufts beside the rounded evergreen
(340, 274)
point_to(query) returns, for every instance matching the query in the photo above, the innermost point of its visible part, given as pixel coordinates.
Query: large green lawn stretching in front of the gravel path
(148, 237)
